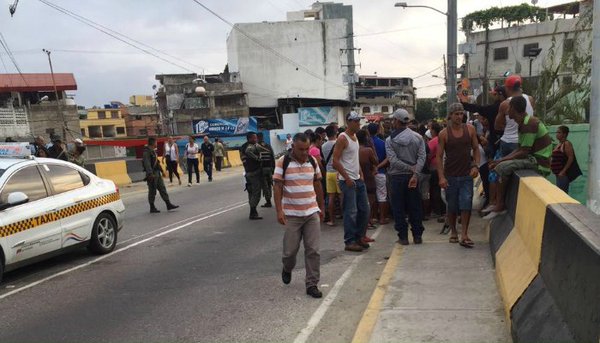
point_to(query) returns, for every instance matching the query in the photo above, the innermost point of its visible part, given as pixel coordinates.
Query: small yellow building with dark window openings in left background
(107, 122)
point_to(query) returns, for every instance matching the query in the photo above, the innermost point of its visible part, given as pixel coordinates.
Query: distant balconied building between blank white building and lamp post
(380, 96)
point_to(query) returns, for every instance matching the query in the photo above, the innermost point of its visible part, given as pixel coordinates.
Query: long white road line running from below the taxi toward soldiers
(120, 250)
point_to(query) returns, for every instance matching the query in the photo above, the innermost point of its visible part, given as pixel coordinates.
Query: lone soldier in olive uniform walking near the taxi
(154, 177)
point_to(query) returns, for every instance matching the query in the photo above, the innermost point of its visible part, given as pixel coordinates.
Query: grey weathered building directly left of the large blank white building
(184, 99)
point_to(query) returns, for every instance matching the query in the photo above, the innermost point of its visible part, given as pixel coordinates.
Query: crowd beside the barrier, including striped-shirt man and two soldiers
(403, 169)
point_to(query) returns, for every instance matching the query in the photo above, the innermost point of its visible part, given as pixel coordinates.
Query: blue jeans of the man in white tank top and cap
(356, 210)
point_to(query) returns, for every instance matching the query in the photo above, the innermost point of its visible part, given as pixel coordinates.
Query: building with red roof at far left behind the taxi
(29, 106)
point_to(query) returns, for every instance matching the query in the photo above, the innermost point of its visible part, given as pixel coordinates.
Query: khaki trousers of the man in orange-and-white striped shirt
(307, 229)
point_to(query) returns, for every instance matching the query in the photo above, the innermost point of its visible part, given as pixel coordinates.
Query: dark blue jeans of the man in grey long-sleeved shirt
(404, 198)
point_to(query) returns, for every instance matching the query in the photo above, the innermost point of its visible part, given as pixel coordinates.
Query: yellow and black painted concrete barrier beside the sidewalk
(547, 255)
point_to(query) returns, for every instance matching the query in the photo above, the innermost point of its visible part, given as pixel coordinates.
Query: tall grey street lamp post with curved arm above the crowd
(450, 45)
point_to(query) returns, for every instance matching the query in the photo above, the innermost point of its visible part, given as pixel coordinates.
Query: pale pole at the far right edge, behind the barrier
(593, 202)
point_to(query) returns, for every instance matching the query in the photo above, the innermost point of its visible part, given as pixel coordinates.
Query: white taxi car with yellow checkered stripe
(49, 205)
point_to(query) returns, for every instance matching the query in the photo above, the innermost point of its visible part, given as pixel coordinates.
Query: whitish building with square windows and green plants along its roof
(525, 49)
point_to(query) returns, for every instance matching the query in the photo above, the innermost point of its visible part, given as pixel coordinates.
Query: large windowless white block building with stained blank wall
(297, 58)
